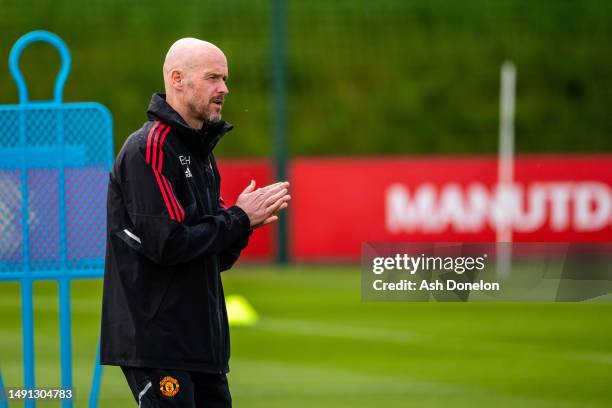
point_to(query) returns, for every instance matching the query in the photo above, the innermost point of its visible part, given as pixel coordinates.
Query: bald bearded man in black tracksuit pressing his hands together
(169, 237)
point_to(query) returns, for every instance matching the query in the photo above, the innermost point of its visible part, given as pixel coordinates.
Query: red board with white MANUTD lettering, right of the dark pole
(339, 202)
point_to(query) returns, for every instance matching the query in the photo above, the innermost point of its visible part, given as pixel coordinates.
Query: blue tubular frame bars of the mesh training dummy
(64, 275)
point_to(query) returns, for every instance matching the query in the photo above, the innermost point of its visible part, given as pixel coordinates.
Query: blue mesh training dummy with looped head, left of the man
(54, 162)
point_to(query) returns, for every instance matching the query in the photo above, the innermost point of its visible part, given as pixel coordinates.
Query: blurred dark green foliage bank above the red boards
(384, 77)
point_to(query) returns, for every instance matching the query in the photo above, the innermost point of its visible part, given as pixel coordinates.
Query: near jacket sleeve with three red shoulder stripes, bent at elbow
(157, 215)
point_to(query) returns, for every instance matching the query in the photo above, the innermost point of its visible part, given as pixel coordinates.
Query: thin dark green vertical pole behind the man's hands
(279, 114)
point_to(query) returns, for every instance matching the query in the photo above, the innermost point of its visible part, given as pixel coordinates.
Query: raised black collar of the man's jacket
(205, 138)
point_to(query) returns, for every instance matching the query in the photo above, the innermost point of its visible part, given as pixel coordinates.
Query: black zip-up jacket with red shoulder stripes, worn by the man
(168, 239)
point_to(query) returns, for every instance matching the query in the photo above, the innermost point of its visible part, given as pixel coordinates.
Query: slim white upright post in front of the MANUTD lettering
(505, 169)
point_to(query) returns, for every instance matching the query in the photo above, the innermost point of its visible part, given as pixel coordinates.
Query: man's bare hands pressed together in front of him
(262, 205)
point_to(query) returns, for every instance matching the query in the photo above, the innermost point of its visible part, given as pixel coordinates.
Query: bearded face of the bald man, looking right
(206, 89)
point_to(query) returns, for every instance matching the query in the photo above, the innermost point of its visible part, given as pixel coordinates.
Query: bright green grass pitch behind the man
(317, 345)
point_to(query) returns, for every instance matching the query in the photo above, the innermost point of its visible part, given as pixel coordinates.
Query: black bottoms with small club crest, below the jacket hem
(154, 387)
